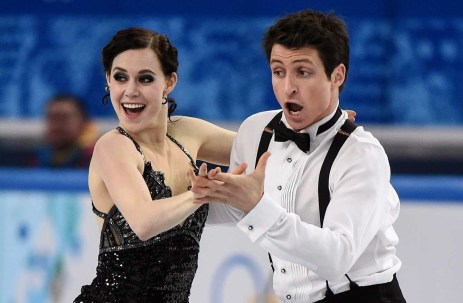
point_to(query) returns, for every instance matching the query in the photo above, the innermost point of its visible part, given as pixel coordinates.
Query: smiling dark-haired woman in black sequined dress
(138, 181)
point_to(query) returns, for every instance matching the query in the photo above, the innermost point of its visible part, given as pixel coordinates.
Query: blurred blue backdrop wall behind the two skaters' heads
(405, 55)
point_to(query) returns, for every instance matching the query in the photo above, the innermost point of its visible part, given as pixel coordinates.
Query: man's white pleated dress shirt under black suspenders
(357, 237)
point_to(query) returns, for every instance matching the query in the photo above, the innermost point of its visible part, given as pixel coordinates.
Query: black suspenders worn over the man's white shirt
(324, 196)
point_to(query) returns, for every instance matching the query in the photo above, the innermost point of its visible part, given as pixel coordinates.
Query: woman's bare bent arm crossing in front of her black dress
(119, 166)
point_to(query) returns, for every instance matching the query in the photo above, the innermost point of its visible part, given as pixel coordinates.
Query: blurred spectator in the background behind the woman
(69, 134)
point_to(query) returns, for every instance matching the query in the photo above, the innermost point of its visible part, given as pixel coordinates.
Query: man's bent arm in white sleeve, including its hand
(358, 209)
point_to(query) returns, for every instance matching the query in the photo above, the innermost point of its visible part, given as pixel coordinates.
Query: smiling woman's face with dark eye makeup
(137, 85)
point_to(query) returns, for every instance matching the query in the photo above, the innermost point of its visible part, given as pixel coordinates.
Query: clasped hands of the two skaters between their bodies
(236, 189)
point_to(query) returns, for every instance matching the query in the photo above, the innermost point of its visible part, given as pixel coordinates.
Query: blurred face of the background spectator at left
(64, 124)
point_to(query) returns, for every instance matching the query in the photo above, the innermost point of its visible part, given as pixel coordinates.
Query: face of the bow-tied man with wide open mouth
(301, 86)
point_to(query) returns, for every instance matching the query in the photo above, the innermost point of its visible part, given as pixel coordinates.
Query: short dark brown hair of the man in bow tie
(326, 33)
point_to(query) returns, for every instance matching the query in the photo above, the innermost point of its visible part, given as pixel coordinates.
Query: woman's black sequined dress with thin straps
(160, 269)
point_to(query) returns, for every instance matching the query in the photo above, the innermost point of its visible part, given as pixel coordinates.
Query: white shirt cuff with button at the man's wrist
(261, 218)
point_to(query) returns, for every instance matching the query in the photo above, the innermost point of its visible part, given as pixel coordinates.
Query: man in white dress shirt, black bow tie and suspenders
(325, 217)
